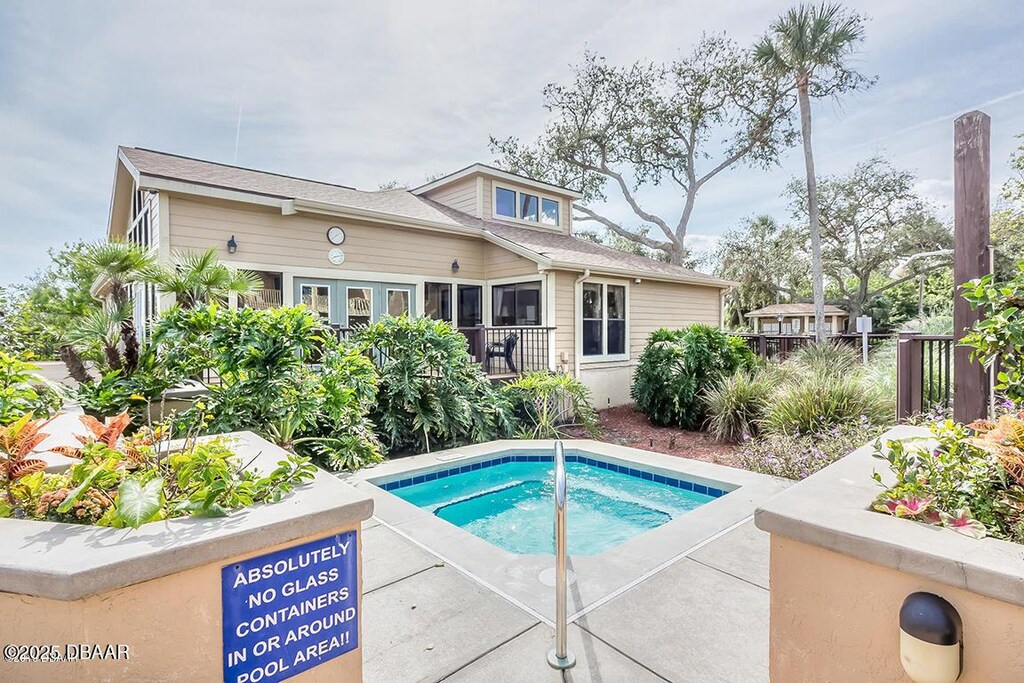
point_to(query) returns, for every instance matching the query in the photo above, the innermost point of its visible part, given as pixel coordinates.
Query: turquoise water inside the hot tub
(511, 503)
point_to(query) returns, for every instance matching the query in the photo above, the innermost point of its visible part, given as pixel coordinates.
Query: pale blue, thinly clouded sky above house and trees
(363, 94)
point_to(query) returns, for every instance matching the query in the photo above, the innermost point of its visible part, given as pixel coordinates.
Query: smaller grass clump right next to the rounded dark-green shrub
(738, 404)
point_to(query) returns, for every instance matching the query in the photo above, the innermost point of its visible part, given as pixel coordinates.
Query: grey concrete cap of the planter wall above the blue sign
(73, 562)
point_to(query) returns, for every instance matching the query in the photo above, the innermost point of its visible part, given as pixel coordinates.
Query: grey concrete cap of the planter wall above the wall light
(832, 509)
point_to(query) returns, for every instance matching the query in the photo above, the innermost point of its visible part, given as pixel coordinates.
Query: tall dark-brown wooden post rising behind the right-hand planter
(971, 181)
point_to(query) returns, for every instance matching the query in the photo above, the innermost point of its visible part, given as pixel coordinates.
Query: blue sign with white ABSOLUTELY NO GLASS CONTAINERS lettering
(290, 611)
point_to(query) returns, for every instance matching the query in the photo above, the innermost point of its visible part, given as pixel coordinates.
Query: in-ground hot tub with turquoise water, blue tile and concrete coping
(488, 510)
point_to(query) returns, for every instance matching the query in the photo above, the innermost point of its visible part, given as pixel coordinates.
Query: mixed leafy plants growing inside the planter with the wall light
(967, 479)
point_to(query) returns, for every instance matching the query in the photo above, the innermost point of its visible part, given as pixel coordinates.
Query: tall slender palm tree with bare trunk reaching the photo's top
(810, 45)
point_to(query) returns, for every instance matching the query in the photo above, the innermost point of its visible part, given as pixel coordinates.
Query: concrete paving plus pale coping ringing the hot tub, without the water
(685, 604)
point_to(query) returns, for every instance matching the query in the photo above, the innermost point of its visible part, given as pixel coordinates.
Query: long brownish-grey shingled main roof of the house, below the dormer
(556, 247)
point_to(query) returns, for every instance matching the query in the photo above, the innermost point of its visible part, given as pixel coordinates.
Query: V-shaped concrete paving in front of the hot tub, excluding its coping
(704, 618)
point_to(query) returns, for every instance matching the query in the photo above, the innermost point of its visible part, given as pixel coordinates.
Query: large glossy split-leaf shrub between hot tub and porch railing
(431, 394)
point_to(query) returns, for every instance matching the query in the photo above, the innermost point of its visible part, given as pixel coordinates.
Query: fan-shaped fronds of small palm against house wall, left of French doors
(197, 279)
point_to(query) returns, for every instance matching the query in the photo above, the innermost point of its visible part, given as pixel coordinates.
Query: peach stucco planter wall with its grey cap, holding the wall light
(840, 574)
